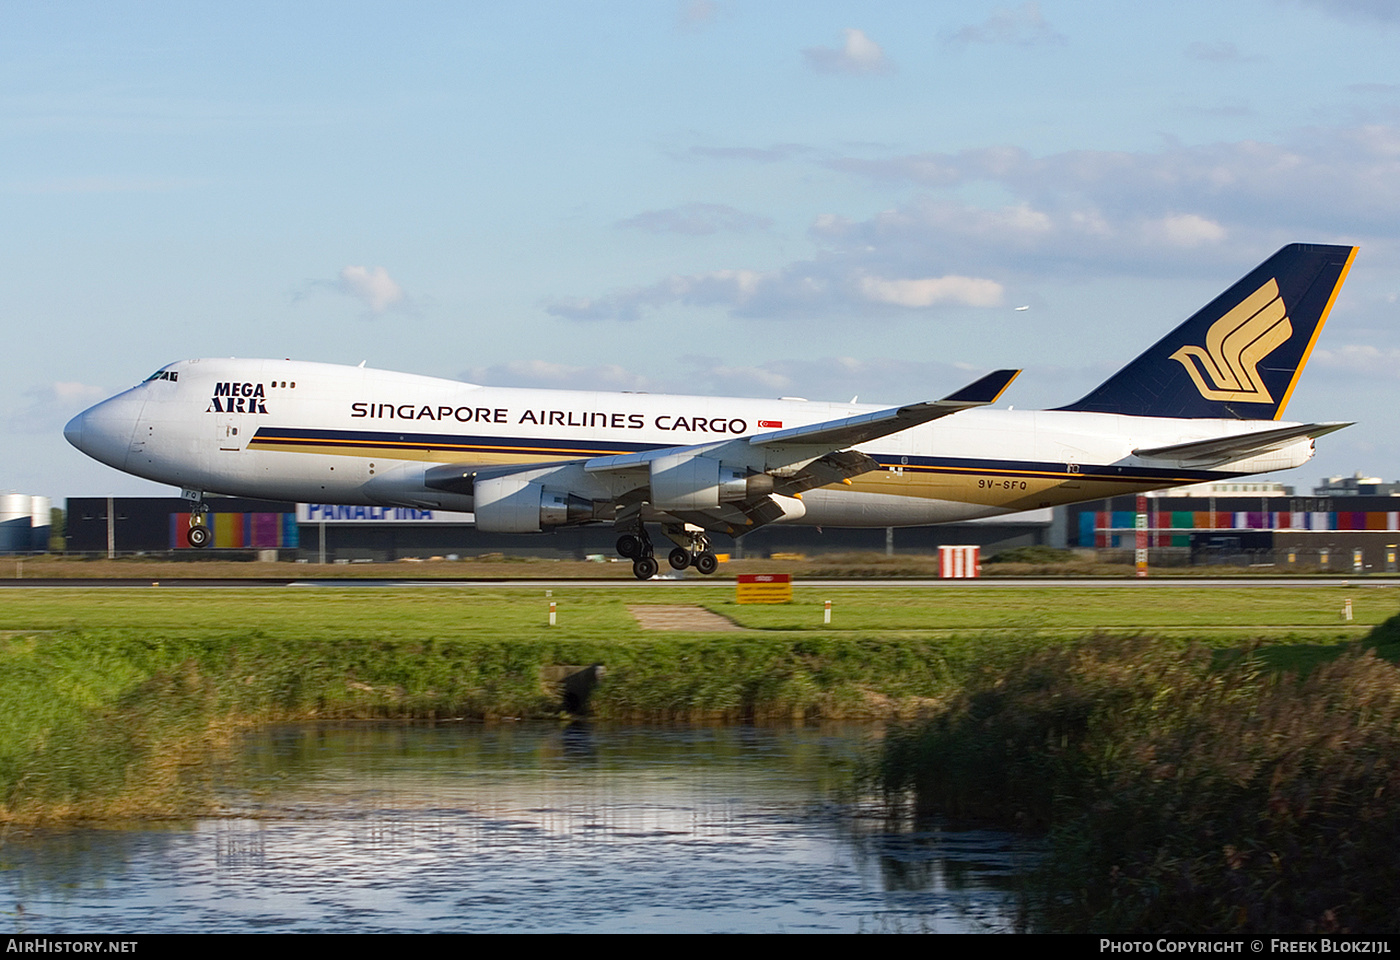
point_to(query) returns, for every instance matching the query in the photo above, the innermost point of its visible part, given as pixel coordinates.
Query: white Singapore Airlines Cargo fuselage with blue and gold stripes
(320, 433)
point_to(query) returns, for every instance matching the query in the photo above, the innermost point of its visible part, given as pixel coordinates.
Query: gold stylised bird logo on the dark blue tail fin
(1235, 345)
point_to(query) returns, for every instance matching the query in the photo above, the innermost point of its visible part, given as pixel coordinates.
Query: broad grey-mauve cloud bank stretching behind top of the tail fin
(1182, 211)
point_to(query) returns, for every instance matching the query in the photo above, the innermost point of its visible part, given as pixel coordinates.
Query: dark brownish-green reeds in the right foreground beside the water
(1198, 794)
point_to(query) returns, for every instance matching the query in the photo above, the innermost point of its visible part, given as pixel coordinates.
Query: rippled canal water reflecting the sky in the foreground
(387, 828)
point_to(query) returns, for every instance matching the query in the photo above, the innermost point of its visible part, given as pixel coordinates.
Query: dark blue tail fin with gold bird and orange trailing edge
(1241, 355)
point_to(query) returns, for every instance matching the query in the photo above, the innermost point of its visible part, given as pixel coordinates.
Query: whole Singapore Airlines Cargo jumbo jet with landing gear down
(1203, 404)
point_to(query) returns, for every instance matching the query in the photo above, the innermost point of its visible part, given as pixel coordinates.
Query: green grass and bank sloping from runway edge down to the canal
(117, 700)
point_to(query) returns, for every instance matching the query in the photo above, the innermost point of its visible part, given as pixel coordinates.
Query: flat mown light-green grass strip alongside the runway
(429, 612)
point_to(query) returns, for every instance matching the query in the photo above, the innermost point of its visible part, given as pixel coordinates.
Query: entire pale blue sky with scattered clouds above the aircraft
(743, 198)
